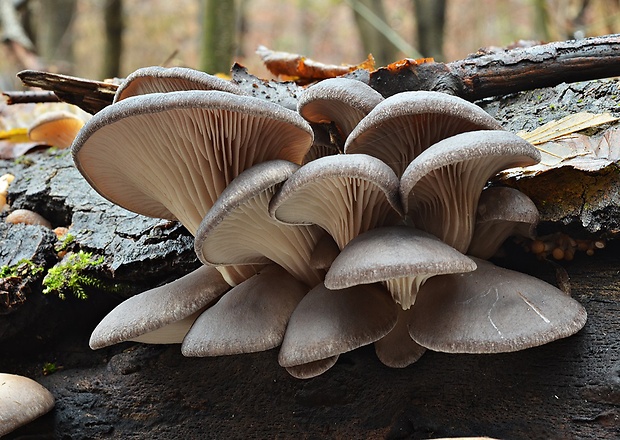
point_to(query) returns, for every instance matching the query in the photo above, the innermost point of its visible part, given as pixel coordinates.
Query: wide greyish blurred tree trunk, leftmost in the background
(52, 28)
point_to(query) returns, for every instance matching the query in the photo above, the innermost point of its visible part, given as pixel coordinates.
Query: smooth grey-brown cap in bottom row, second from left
(251, 317)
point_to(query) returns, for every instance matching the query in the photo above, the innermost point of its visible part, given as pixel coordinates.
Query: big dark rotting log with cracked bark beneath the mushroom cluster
(566, 389)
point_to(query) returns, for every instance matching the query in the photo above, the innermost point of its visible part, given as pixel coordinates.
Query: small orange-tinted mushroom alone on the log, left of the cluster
(57, 129)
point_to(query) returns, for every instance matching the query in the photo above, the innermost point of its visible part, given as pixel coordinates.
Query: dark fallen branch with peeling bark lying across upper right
(490, 74)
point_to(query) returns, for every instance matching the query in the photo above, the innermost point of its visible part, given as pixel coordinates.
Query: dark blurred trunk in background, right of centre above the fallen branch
(430, 19)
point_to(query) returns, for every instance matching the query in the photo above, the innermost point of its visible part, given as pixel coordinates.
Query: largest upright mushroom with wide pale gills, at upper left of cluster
(170, 155)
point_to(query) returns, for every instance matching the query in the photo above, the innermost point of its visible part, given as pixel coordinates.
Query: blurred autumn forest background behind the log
(100, 39)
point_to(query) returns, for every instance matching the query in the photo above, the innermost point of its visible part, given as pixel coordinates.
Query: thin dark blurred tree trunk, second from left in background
(113, 19)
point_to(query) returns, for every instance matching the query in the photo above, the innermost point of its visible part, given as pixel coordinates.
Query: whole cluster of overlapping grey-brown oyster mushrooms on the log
(375, 234)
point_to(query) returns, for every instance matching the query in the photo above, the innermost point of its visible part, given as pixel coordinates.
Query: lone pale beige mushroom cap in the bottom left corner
(21, 401)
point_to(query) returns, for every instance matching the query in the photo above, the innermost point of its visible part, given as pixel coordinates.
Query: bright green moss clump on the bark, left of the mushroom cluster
(70, 276)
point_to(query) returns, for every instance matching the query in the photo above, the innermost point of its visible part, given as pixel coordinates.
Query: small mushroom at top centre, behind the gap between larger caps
(342, 101)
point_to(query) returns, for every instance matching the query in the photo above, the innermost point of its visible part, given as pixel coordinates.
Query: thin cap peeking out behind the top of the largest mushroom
(157, 79)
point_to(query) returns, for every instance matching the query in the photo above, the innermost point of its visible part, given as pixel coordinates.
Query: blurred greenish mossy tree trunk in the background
(218, 36)
